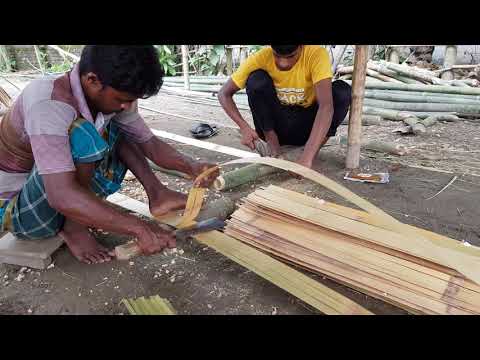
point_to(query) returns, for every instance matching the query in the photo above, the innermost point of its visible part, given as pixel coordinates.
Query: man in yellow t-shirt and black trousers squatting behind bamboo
(291, 96)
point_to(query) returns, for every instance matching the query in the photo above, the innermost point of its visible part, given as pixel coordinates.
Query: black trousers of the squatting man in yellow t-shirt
(292, 124)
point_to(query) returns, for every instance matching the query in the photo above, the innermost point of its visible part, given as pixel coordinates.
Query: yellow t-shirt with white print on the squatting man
(295, 86)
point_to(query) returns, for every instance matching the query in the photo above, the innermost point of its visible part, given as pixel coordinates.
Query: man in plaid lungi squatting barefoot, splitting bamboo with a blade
(66, 144)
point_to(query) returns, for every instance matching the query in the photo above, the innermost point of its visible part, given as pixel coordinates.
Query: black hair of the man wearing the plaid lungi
(135, 70)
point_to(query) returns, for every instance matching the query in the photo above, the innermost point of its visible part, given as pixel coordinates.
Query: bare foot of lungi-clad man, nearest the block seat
(82, 244)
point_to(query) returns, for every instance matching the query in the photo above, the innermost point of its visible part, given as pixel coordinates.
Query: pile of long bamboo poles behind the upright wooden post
(416, 96)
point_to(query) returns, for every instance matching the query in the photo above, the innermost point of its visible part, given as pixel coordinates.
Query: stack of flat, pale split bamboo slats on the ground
(353, 248)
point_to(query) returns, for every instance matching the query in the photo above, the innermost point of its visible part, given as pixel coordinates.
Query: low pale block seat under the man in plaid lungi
(30, 253)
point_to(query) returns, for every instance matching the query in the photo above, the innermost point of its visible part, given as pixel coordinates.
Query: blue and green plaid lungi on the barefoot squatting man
(29, 216)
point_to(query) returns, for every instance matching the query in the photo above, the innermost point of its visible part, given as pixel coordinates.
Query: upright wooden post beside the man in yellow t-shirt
(355, 120)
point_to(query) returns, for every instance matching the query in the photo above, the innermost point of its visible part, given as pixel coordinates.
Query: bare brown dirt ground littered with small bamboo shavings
(197, 280)
